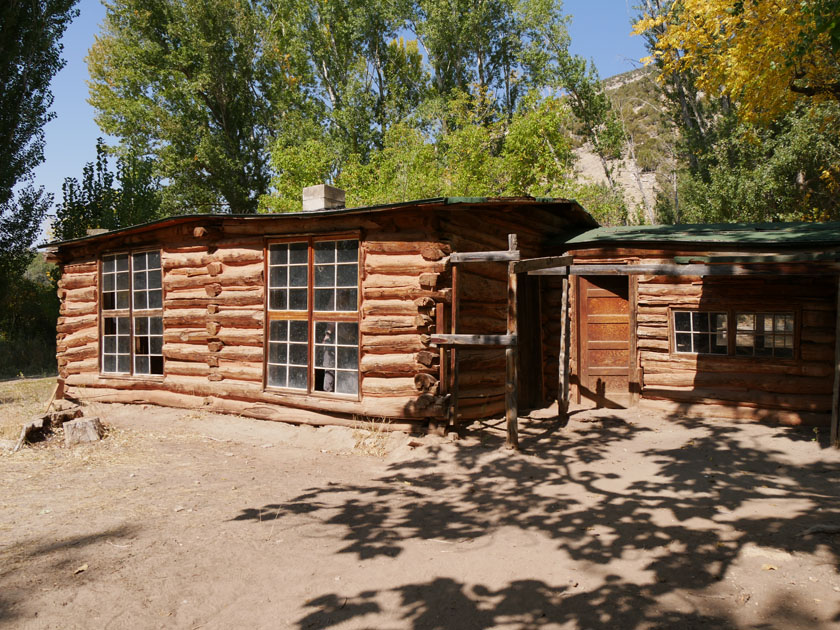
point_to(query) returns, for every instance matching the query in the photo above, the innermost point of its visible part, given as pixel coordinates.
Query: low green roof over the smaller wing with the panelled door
(776, 234)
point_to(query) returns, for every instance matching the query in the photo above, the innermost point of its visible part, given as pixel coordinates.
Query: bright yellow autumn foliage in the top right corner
(750, 51)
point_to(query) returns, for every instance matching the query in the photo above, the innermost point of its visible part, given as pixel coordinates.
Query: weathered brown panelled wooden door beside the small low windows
(604, 336)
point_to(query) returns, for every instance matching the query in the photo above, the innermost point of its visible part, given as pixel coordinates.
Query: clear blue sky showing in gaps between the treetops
(600, 30)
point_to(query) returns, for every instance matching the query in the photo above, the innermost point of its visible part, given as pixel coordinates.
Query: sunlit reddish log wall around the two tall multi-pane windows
(214, 322)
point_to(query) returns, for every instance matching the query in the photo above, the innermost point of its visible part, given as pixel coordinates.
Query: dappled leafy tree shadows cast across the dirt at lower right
(685, 512)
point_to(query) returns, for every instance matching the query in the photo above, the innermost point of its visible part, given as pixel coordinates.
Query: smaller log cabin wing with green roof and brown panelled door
(733, 320)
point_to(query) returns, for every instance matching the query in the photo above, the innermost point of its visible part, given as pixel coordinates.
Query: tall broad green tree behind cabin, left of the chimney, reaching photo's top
(200, 86)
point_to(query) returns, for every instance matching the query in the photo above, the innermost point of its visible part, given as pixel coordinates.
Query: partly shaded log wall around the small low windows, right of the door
(790, 391)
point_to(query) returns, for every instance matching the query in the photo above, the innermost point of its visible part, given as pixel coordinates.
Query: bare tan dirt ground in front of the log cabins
(614, 520)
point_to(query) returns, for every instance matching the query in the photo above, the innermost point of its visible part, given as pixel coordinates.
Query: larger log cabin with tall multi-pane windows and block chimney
(325, 316)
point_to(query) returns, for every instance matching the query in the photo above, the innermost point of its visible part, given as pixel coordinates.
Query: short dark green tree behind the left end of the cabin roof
(108, 200)
